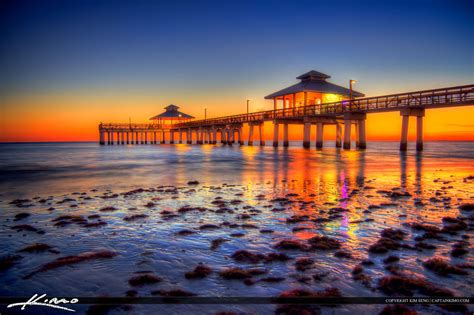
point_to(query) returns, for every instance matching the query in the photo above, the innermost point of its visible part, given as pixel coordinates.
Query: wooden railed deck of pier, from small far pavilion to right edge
(435, 98)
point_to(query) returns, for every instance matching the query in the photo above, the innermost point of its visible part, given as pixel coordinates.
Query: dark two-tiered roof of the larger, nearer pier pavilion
(314, 81)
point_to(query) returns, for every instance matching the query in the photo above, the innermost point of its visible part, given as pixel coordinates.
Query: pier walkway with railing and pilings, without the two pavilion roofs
(342, 114)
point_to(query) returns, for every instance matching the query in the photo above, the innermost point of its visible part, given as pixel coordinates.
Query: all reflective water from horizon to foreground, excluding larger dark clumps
(80, 179)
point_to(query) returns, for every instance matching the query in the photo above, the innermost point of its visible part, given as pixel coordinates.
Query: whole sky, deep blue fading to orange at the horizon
(68, 65)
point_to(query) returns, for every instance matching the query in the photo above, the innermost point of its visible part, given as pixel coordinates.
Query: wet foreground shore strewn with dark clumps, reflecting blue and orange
(385, 232)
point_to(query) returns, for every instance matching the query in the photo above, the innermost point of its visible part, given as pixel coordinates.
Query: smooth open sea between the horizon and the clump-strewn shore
(30, 169)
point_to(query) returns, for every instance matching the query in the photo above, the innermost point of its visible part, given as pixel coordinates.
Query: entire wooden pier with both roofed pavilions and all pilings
(312, 101)
